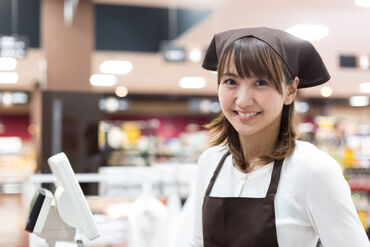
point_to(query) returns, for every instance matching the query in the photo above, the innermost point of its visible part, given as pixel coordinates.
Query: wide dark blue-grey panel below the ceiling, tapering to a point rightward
(132, 28)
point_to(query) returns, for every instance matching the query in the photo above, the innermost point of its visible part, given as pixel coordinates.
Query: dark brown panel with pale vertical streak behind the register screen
(65, 124)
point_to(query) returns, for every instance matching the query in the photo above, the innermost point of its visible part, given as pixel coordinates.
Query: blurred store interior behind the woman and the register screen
(118, 86)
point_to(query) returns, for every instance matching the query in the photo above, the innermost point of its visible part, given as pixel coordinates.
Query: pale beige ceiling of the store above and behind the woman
(348, 25)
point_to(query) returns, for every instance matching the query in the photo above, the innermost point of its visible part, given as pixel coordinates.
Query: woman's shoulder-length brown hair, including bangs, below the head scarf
(253, 57)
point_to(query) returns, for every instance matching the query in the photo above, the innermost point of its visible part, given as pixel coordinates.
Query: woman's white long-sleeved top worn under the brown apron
(313, 199)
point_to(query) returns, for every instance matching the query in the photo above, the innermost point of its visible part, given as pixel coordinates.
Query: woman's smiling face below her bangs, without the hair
(252, 105)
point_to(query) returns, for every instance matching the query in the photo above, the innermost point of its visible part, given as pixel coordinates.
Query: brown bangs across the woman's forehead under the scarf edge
(253, 57)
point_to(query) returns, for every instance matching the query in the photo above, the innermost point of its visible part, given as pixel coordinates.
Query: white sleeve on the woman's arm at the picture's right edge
(330, 207)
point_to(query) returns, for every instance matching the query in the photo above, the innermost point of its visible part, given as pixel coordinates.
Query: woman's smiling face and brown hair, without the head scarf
(254, 84)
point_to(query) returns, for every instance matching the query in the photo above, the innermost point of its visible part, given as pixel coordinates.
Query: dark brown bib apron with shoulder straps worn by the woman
(240, 222)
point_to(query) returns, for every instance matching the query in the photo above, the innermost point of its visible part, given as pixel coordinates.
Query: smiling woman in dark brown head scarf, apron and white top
(258, 185)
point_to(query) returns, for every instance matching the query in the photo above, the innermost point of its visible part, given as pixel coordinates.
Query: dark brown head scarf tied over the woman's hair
(299, 55)
